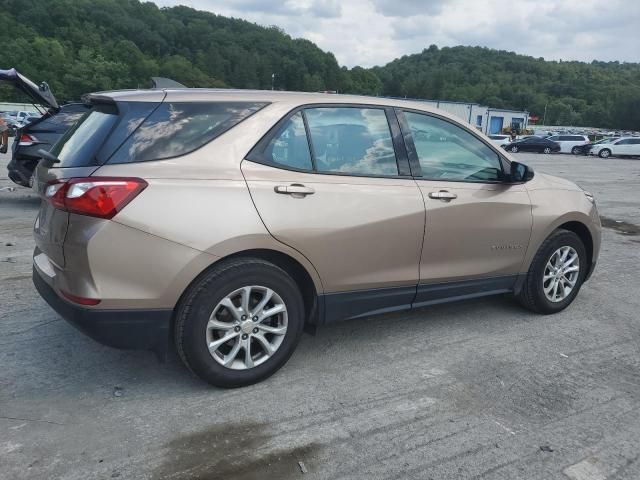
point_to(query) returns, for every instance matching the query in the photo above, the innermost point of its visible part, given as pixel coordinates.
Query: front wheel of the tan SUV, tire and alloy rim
(556, 274)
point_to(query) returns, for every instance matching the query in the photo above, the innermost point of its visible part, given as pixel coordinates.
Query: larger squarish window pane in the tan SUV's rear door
(351, 140)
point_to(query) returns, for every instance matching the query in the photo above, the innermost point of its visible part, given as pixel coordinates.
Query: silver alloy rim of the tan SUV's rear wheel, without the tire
(246, 327)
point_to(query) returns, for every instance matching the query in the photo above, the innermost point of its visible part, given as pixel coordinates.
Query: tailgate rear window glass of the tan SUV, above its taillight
(77, 147)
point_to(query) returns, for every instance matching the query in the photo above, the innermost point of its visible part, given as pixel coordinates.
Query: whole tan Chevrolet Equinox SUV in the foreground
(229, 221)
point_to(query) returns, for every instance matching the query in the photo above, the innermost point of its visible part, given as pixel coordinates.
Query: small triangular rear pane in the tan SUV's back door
(289, 147)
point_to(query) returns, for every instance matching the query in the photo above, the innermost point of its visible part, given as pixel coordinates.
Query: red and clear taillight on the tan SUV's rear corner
(101, 197)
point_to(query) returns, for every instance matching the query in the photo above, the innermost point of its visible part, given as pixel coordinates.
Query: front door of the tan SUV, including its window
(478, 227)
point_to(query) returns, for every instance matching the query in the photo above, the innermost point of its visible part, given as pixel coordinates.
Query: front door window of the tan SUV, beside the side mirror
(448, 152)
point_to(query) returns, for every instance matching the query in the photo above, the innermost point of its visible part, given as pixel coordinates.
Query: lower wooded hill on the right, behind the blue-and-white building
(599, 94)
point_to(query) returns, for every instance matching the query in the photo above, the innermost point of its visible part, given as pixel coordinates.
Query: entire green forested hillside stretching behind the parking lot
(88, 45)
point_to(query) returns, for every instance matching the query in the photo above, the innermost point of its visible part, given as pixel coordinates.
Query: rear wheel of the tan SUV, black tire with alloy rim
(239, 323)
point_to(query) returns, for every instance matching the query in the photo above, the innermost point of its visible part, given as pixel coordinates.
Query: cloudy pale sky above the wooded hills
(374, 32)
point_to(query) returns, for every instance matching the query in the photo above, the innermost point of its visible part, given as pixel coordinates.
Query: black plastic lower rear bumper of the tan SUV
(127, 329)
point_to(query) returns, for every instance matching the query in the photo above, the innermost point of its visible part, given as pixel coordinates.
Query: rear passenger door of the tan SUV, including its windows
(328, 182)
